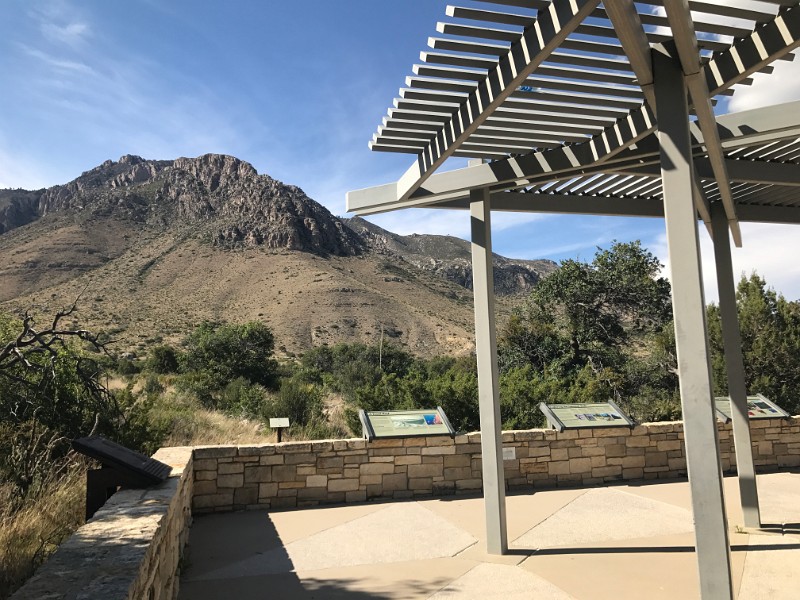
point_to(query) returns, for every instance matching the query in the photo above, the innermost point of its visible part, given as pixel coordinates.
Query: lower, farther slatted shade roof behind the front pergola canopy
(762, 167)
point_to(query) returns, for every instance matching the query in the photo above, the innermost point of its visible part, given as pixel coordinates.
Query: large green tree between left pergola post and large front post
(588, 331)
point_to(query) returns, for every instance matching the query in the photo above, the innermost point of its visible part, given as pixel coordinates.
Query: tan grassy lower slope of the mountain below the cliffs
(305, 299)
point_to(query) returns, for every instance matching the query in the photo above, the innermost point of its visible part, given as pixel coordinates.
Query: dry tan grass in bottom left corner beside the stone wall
(28, 536)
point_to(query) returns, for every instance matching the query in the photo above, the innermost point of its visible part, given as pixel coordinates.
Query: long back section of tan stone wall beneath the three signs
(332, 471)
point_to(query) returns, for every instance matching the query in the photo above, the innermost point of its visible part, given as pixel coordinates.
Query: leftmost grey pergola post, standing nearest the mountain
(494, 491)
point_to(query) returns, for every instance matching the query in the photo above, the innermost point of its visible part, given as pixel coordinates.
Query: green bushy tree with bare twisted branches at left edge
(51, 392)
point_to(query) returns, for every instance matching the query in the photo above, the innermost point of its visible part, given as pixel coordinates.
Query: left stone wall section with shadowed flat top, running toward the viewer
(130, 550)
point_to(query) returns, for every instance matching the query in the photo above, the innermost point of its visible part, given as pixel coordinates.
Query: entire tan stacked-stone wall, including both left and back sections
(132, 548)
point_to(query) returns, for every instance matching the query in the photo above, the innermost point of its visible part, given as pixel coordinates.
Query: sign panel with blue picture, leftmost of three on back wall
(382, 424)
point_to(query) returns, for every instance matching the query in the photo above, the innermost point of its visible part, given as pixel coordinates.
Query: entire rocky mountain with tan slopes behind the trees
(151, 248)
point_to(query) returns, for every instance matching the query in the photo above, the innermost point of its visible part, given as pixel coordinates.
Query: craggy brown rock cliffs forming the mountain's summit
(223, 196)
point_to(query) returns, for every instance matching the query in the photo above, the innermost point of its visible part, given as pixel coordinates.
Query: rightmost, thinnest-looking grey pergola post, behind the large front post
(734, 365)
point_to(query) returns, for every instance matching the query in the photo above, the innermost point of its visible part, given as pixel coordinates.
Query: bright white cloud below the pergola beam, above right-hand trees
(769, 250)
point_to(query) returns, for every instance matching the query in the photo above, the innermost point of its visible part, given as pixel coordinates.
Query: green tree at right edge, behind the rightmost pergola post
(770, 331)
